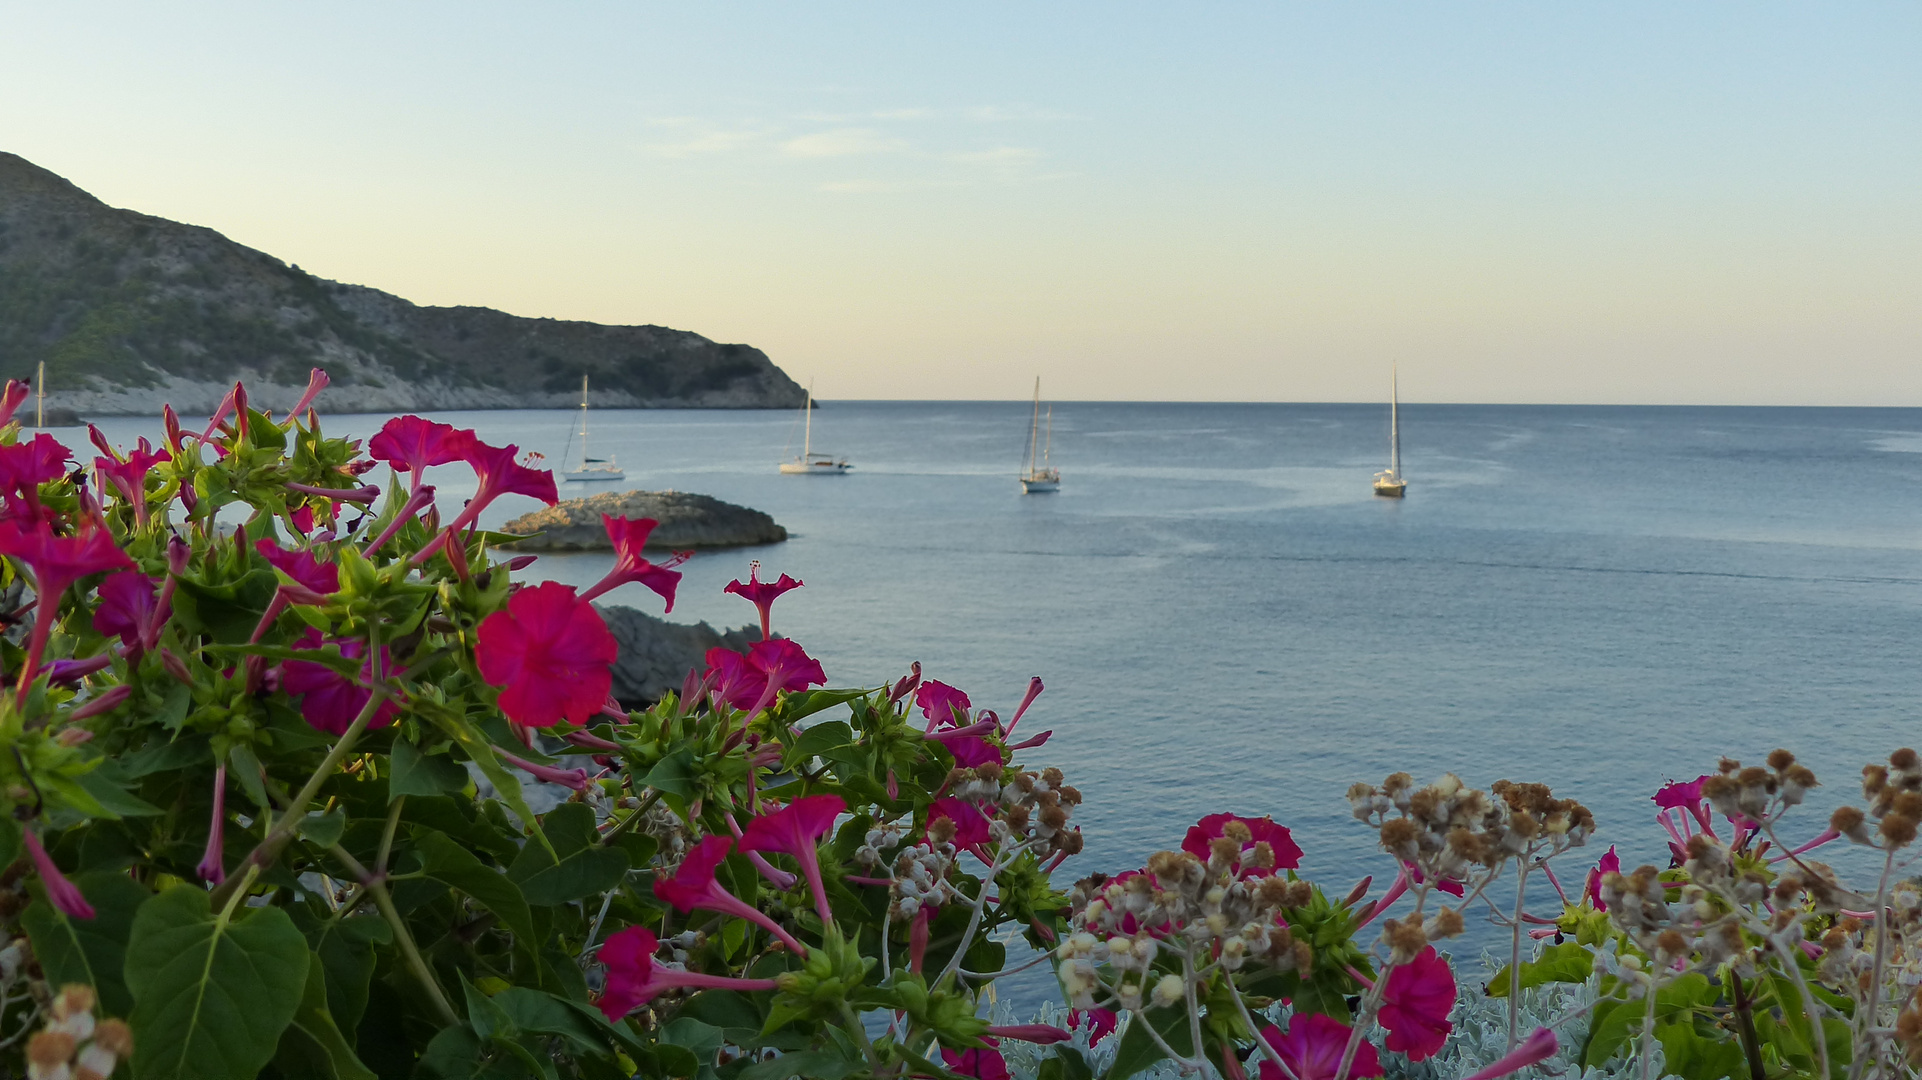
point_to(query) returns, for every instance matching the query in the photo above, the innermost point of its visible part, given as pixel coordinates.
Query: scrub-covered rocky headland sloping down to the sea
(130, 312)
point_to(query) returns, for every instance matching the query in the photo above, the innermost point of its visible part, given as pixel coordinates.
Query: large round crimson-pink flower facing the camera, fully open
(553, 656)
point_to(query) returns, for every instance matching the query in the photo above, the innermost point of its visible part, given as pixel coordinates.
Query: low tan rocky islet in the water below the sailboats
(687, 522)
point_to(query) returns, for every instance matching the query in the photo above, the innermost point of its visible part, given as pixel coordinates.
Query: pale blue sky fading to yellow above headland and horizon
(1629, 203)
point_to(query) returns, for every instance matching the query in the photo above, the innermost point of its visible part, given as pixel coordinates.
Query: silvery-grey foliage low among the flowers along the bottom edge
(1481, 1039)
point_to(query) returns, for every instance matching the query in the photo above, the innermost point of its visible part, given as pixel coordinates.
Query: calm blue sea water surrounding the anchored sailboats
(1596, 599)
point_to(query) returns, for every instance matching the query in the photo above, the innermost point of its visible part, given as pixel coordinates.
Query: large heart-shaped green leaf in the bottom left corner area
(212, 996)
